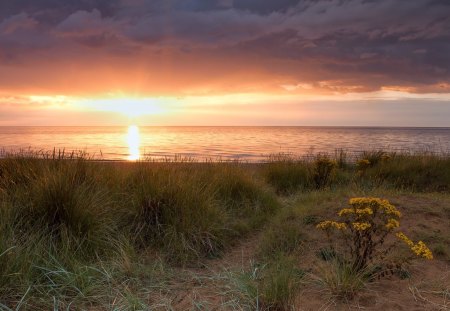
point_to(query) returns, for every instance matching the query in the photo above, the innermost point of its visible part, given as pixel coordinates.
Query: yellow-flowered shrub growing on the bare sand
(364, 228)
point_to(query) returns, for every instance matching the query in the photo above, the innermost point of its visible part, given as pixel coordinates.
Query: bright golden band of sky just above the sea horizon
(370, 108)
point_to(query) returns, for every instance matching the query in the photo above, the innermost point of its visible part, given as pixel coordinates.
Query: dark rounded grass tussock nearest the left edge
(66, 205)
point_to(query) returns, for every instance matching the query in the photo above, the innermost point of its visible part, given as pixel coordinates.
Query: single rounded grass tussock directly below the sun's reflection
(172, 210)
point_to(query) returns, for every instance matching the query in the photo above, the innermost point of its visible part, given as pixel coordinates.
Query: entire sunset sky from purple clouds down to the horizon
(225, 62)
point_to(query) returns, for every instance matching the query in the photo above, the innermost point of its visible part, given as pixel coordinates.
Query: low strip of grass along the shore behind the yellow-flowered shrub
(419, 172)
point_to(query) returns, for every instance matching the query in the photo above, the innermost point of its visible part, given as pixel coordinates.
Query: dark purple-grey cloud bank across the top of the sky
(331, 44)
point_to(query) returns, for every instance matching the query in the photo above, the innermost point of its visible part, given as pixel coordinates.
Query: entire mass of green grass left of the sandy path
(71, 229)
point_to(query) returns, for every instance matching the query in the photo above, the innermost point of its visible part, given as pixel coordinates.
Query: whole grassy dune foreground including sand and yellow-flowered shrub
(82, 234)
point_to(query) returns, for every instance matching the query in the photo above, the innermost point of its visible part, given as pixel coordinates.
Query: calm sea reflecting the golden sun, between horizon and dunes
(225, 143)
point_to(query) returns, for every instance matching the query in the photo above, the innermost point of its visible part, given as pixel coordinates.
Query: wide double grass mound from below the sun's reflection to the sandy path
(190, 213)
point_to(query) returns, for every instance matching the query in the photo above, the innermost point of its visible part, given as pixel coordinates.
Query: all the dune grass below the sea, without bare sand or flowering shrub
(83, 234)
